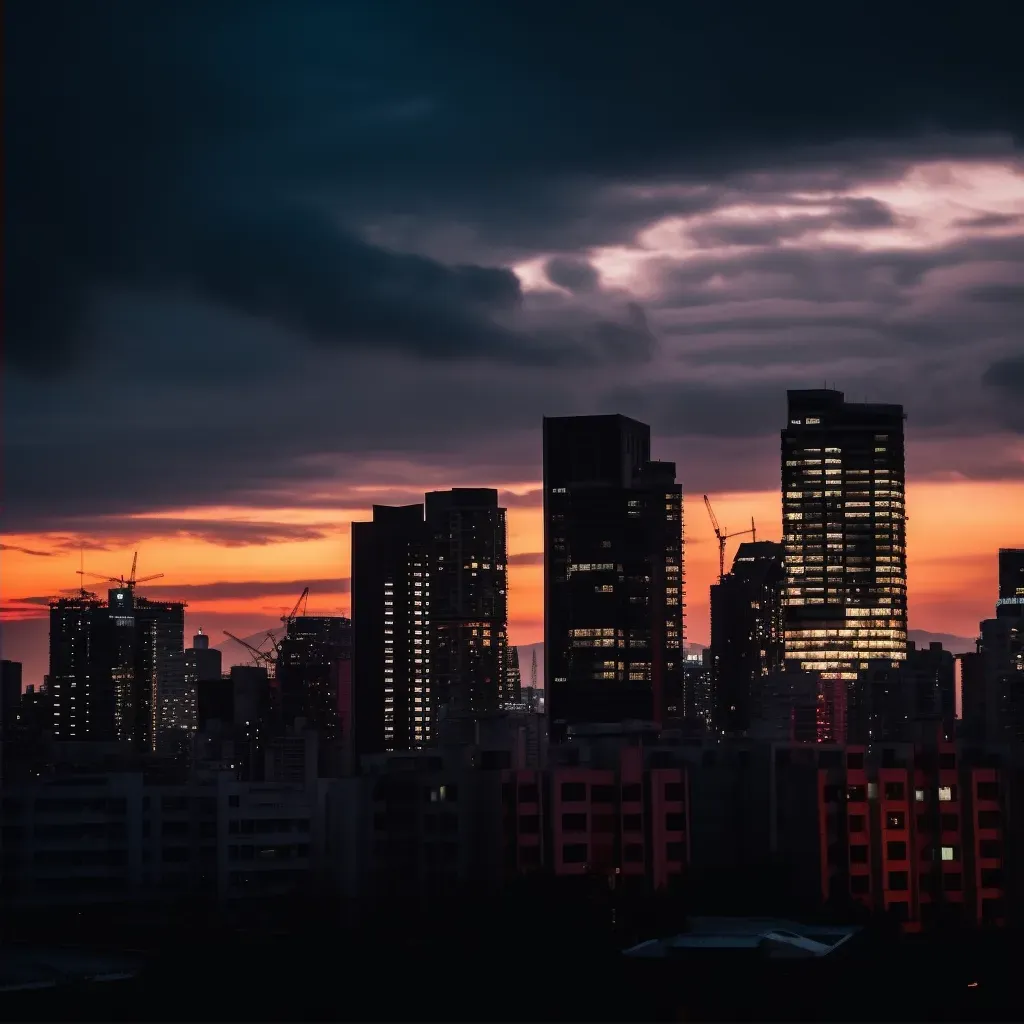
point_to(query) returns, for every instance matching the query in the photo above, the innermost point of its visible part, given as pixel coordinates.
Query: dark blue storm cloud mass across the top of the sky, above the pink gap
(142, 138)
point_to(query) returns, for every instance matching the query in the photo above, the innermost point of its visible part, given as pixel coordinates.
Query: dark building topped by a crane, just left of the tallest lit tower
(746, 632)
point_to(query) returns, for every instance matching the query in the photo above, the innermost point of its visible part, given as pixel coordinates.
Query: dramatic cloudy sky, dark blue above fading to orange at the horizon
(268, 264)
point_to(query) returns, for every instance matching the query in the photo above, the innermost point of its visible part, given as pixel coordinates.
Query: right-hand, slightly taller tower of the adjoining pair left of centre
(470, 601)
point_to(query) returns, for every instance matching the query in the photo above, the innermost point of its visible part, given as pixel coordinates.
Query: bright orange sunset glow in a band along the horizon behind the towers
(954, 531)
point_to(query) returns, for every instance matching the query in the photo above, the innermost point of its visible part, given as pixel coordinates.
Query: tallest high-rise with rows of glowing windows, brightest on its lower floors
(845, 534)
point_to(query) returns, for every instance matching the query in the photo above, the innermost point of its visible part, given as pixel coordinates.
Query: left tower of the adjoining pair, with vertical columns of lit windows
(393, 692)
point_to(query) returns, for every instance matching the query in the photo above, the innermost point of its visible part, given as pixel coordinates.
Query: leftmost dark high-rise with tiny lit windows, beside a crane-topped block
(81, 677)
